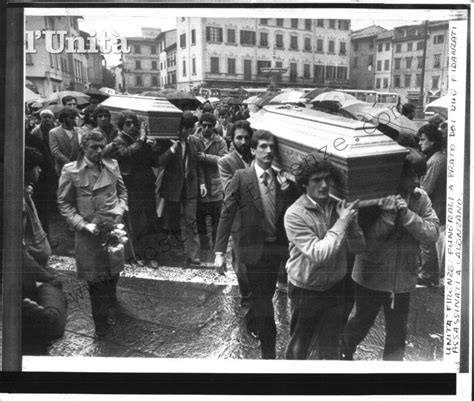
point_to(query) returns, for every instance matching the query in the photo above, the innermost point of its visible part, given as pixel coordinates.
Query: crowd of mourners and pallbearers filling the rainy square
(214, 188)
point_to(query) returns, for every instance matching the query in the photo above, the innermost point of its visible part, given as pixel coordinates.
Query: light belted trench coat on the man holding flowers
(80, 203)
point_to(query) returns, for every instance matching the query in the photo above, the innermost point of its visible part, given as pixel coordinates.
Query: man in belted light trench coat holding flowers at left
(91, 193)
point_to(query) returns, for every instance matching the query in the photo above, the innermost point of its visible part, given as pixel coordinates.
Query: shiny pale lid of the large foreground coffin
(344, 138)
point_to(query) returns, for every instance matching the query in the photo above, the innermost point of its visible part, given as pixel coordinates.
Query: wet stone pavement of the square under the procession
(179, 312)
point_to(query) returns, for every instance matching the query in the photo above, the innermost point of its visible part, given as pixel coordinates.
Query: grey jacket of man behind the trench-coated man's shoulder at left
(63, 149)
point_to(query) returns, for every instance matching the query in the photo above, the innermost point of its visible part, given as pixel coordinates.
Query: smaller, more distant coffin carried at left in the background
(159, 114)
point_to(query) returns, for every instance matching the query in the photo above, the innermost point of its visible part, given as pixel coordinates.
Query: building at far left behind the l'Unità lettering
(52, 72)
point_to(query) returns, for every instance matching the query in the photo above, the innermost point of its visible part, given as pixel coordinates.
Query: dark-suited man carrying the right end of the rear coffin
(183, 182)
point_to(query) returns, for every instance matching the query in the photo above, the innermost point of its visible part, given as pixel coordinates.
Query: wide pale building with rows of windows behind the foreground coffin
(234, 52)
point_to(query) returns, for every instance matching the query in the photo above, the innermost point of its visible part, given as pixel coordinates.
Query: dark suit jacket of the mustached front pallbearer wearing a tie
(243, 197)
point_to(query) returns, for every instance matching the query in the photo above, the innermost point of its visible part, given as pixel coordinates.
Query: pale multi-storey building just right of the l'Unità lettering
(140, 67)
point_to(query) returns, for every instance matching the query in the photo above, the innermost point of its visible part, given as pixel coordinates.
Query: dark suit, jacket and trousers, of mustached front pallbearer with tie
(262, 258)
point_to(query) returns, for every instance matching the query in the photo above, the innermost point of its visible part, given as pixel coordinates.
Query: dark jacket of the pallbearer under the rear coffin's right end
(174, 181)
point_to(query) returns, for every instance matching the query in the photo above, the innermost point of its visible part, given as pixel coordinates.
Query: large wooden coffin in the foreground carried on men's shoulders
(370, 161)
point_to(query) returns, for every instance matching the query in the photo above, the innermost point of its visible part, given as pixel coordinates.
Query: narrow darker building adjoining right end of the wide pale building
(363, 54)
